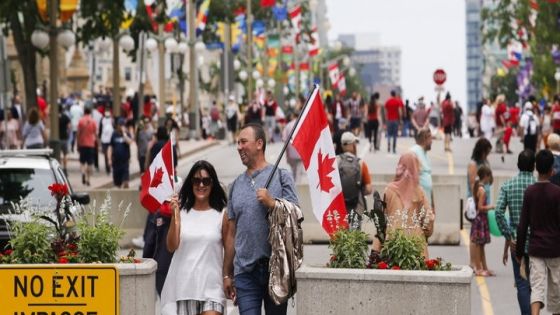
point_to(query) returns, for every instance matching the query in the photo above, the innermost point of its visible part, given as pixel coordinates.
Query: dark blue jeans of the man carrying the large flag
(252, 289)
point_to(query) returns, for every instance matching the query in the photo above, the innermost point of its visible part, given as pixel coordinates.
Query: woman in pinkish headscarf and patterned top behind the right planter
(407, 206)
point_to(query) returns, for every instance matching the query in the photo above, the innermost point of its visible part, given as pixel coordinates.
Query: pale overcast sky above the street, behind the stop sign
(430, 33)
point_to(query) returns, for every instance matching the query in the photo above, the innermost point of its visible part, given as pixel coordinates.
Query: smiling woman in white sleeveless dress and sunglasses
(195, 281)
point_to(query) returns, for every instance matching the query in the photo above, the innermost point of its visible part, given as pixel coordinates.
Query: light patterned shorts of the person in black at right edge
(545, 276)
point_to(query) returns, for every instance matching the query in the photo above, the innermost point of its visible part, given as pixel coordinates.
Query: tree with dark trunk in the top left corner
(20, 19)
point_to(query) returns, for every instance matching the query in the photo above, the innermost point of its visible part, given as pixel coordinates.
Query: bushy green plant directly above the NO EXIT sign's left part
(31, 243)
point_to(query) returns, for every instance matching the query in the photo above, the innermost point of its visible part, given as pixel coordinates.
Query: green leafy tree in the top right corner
(498, 25)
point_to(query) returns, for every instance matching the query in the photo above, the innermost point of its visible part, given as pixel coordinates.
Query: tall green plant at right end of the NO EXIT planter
(99, 239)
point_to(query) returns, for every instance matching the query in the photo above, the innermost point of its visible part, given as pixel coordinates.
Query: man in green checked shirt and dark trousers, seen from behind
(511, 197)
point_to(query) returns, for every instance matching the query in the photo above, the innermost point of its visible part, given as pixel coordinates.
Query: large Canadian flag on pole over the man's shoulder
(312, 139)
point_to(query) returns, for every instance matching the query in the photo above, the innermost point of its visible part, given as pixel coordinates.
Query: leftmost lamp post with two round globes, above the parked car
(42, 40)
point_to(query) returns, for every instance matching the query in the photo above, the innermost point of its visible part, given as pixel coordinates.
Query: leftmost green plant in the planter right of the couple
(349, 249)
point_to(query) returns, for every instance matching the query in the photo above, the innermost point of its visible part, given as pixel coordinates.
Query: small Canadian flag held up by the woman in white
(157, 181)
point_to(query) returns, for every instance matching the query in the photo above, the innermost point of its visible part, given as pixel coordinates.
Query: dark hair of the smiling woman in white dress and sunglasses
(218, 199)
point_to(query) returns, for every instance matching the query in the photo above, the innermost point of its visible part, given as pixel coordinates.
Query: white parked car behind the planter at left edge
(27, 174)
